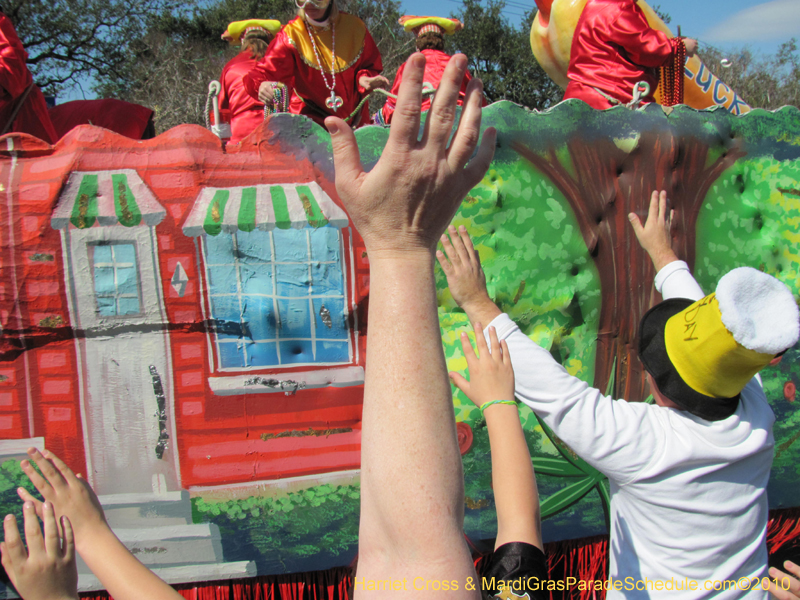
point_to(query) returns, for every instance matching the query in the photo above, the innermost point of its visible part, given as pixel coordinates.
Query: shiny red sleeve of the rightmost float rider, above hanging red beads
(644, 45)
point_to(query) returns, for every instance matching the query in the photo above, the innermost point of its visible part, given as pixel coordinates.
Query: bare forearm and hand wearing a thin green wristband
(513, 480)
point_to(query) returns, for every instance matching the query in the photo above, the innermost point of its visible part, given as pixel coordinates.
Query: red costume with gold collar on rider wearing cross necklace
(291, 59)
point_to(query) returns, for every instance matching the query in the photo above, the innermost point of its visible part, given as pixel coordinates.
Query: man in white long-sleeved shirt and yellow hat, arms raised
(688, 475)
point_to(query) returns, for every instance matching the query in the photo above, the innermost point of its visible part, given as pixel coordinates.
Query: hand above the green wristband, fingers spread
(490, 374)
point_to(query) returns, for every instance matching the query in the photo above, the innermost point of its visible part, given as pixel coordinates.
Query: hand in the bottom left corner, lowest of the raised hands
(47, 571)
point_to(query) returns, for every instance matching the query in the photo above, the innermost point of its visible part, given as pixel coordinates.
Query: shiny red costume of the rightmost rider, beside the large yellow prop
(613, 49)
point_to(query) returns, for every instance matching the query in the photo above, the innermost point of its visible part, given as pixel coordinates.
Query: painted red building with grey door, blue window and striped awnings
(176, 316)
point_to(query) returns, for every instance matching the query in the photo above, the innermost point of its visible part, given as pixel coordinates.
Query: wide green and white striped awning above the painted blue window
(265, 207)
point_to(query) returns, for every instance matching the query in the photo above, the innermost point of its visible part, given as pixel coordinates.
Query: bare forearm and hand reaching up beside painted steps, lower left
(118, 570)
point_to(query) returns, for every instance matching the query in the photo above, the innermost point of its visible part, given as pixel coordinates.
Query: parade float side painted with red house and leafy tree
(186, 323)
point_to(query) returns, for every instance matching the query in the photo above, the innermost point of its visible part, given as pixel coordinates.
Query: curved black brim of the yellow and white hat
(654, 357)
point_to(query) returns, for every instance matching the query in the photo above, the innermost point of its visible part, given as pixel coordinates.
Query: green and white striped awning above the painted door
(106, 198)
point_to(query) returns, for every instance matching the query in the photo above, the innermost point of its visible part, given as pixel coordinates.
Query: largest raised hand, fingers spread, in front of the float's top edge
(405, 202)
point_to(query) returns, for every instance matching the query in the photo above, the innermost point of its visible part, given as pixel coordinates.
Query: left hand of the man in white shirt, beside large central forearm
(462, 266)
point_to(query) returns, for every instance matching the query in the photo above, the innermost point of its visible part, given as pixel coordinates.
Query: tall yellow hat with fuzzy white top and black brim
(702, 354)
